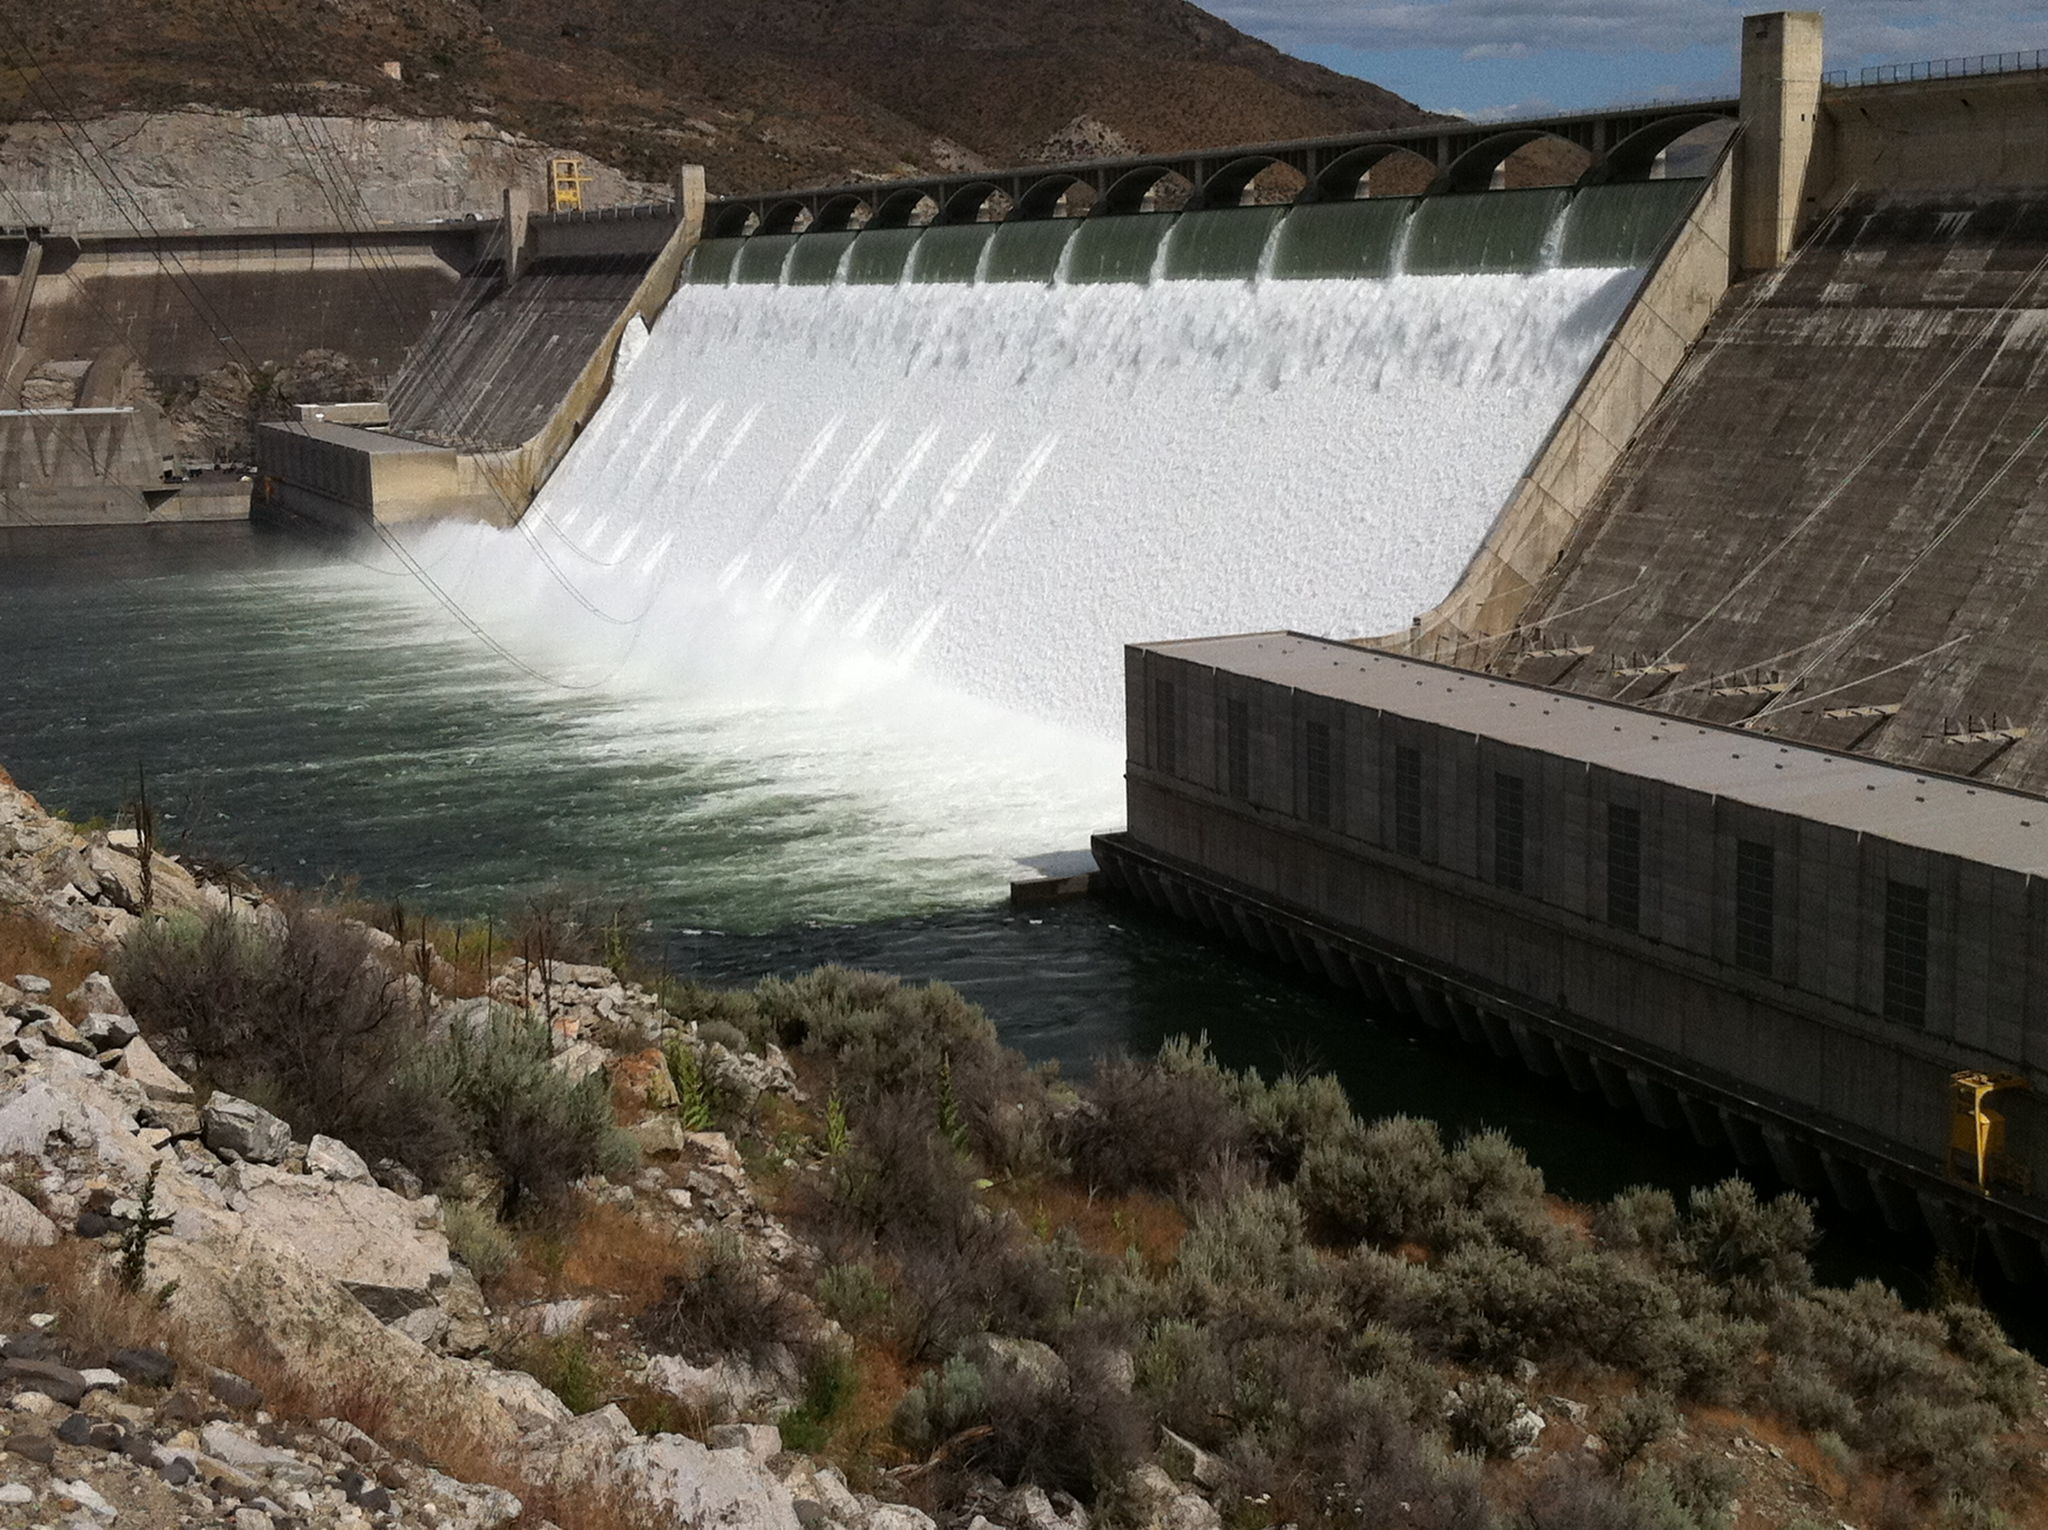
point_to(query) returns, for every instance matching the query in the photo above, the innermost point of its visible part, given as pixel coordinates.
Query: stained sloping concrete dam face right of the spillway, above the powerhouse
(1838, 523)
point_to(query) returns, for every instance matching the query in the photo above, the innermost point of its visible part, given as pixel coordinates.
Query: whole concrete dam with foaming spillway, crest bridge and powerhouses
(1666, 540)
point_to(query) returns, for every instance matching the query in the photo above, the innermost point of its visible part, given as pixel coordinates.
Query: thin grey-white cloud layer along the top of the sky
(1484, 30)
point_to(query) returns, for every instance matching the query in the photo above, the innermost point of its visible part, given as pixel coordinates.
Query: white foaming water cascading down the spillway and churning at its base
(890, 542)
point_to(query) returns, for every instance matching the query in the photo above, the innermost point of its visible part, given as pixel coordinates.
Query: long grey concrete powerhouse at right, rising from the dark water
(1783, 951)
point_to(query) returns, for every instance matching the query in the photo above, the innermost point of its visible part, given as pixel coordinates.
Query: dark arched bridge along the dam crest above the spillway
(1625, 146)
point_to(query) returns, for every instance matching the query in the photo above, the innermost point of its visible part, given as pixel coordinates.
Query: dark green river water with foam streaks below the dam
(286, 718)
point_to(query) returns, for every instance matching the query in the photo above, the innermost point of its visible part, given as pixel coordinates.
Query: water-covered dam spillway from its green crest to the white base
(994, 454)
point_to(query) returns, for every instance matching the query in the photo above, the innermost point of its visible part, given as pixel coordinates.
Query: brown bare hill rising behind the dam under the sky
(765, 93)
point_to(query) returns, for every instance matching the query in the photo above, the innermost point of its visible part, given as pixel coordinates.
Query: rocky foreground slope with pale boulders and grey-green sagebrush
(316, 1224)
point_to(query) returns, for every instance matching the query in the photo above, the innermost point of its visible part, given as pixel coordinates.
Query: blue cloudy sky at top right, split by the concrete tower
(1510, 58)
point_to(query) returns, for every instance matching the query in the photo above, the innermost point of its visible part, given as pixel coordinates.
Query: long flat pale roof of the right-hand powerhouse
(1895, 804)
